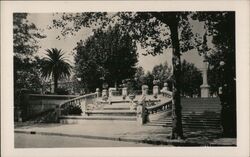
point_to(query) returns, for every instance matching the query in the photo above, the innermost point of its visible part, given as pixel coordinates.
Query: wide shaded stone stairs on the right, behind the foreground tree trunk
(198, 114)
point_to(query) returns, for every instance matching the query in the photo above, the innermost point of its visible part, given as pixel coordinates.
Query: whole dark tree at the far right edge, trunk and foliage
(221, 26)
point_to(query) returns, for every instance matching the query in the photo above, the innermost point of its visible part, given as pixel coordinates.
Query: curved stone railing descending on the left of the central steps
(81, 104)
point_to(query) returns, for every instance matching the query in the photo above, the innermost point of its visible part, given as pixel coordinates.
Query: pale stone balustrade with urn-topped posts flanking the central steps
(144, 106)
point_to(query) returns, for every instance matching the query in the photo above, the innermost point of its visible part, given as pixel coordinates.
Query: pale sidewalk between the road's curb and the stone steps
(127, 131)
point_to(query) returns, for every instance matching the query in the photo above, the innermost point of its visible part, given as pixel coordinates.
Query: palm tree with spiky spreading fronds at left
(55, 64)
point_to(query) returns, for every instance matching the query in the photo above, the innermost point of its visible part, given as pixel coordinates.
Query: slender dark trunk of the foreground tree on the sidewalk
(177, 132)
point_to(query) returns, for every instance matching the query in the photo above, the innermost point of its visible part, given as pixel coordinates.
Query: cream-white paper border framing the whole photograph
(241, 9)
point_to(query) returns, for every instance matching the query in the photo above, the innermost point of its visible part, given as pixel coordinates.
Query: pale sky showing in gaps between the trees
(42, 20)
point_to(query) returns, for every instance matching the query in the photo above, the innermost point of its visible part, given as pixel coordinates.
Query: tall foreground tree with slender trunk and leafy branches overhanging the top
(152, 30)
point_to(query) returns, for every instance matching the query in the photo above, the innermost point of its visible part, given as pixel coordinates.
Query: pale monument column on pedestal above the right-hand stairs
(204, 87)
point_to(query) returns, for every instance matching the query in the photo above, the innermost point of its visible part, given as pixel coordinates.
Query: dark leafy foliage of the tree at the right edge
(221, 26)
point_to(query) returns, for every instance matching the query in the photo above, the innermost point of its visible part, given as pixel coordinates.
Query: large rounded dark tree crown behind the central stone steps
(108, 56)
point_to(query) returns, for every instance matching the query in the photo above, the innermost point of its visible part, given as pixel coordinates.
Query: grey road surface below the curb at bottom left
(54, 141)
